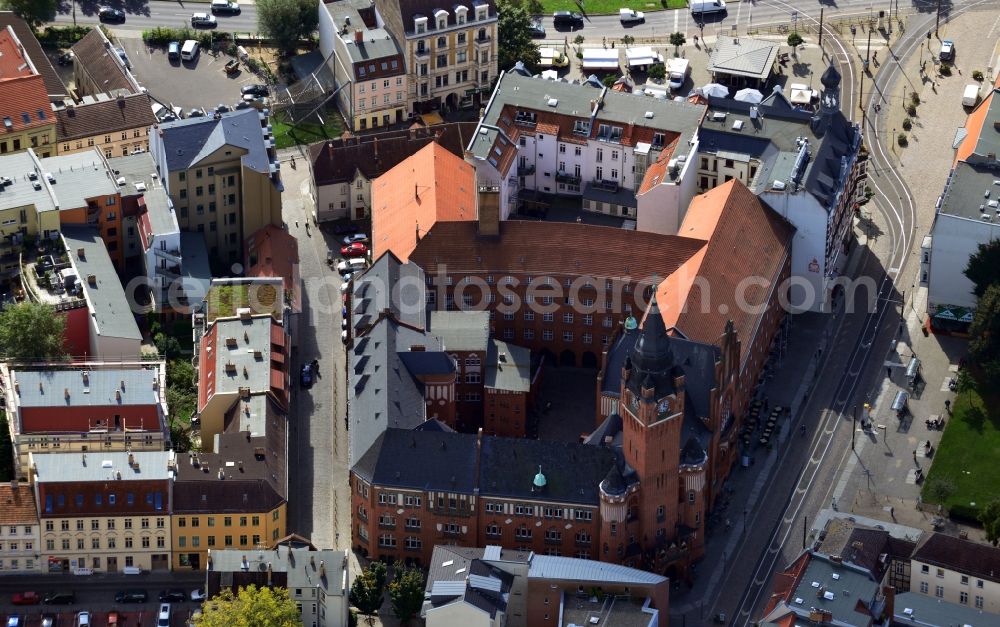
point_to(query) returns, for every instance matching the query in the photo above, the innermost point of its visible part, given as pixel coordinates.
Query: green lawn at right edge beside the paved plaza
(965, 463)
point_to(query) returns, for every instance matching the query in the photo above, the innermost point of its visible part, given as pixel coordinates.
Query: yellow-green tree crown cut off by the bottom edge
(252, 607)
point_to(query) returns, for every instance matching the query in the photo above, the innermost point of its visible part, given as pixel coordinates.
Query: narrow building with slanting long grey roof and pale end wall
(112, 332)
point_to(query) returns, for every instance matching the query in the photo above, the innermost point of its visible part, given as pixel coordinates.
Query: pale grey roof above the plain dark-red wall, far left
(115, 386)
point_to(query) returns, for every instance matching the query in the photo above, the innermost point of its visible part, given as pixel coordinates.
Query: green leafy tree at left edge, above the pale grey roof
(31, 332)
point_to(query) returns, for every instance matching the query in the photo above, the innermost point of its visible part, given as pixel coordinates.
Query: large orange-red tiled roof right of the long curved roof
(746, 238)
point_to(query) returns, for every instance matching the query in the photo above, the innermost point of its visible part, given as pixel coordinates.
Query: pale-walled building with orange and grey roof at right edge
(967, 215)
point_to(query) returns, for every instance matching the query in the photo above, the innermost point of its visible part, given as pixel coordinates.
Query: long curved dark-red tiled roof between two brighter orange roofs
(552, 248)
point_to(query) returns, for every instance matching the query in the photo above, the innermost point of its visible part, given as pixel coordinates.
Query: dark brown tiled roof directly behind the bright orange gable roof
(337, 160)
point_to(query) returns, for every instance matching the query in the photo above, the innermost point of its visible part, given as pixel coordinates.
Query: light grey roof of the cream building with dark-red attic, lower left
(97, 466)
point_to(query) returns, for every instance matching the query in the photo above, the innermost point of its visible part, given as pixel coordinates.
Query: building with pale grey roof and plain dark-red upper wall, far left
(87, 407)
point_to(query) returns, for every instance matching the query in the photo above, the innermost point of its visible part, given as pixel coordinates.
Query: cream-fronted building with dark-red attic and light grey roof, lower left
(103, 511)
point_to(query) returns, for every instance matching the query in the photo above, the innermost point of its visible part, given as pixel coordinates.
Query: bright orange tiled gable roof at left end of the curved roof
(430, 186)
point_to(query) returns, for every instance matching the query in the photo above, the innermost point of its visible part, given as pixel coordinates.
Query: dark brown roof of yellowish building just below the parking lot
(104, 117)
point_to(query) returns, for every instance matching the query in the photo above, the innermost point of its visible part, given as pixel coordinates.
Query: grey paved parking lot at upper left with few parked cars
(187, 84)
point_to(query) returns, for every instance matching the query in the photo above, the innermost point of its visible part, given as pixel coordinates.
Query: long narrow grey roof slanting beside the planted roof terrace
(106, 299)
